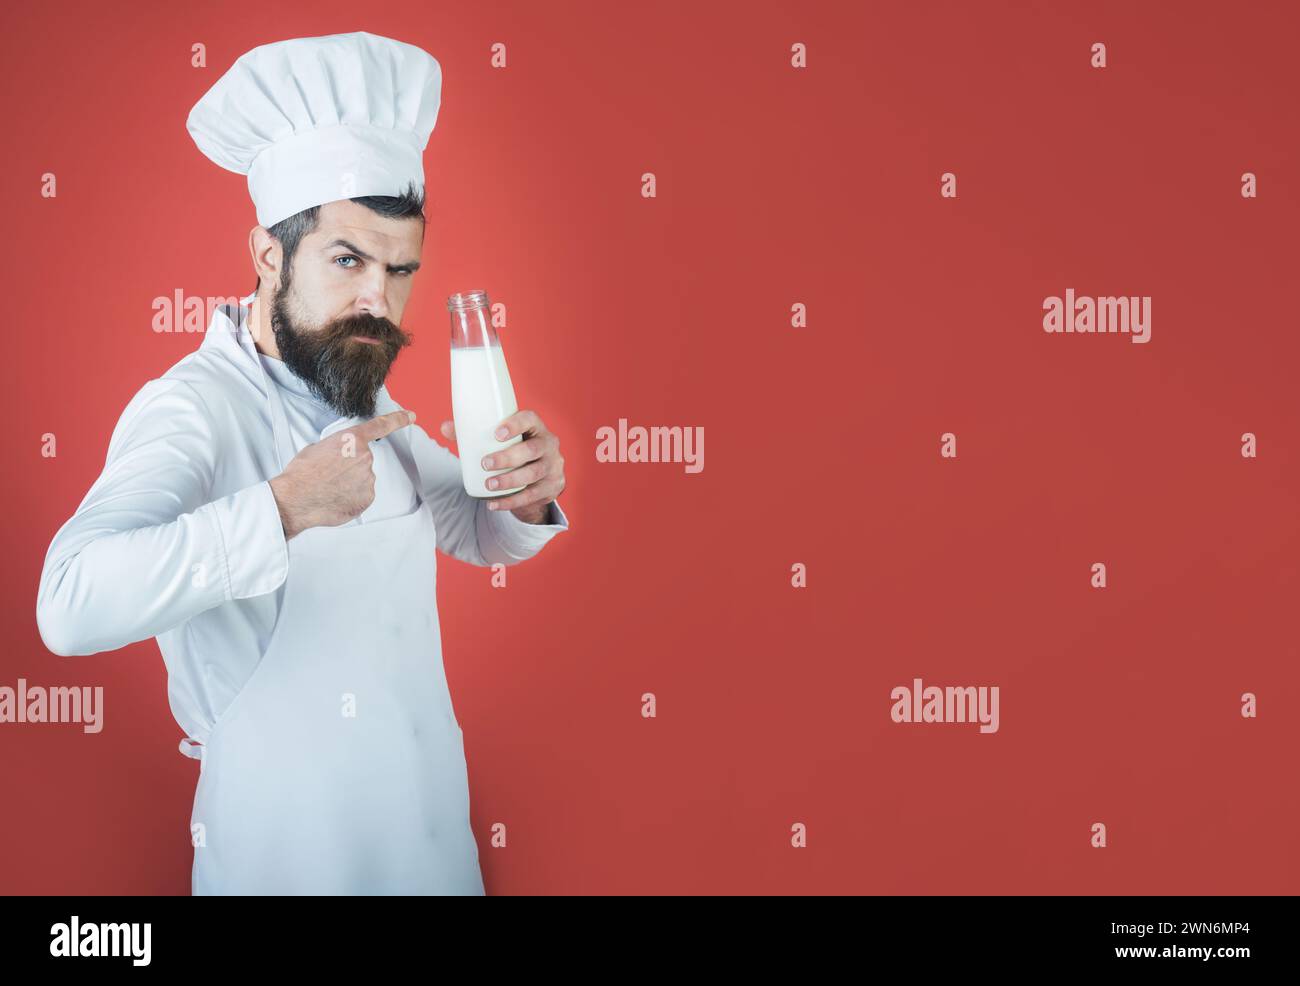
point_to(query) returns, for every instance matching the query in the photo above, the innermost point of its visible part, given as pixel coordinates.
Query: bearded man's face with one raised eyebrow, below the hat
(339, 308)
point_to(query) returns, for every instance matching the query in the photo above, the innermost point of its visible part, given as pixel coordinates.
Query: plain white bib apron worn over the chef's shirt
(340, 767)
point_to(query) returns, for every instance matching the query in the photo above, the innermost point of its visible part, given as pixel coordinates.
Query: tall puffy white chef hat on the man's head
(315, 120)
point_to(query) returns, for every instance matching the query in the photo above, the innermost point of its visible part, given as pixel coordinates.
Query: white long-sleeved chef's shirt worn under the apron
(180, 538)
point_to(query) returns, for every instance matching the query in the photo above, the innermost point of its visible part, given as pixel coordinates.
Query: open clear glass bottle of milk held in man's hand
(482, 393)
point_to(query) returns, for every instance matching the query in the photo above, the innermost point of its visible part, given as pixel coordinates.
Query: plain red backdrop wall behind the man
(822, 444)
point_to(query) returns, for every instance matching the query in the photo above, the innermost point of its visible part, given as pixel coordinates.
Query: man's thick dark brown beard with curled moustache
(339, 370)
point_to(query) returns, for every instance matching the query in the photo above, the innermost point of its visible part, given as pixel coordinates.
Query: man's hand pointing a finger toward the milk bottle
(332, 482)
